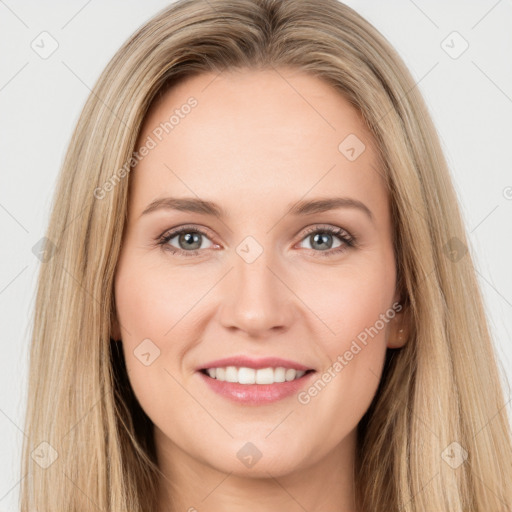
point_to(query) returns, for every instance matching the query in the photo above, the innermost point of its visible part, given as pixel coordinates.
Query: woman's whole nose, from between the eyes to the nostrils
(256, 299)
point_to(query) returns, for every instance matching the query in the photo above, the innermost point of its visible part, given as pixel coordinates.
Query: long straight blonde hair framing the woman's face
(442, 388)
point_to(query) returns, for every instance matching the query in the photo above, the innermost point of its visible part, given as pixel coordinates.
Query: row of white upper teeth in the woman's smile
(245, 375)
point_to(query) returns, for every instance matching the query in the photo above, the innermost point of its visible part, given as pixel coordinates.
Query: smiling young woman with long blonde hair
(191, 353)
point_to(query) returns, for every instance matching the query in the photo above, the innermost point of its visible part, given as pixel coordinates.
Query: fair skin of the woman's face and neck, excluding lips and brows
(254, 145)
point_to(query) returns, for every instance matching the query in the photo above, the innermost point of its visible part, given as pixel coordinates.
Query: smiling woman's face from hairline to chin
(258, 280)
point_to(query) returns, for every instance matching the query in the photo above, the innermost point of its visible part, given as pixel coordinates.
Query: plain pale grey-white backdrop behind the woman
(458, 52)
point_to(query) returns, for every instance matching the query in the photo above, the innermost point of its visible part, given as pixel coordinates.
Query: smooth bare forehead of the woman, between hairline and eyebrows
(270, 135)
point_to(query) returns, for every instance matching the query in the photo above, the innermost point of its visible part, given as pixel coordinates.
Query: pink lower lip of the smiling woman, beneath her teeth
(256, 394)
